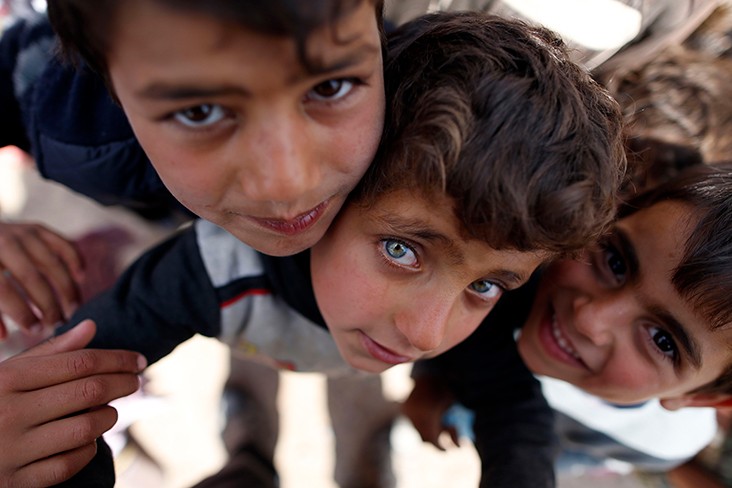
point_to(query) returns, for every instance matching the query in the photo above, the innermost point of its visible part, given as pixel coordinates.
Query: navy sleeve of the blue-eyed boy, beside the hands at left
(163, 299)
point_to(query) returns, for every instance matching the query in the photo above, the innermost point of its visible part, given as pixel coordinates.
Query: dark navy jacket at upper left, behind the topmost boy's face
(66, 119)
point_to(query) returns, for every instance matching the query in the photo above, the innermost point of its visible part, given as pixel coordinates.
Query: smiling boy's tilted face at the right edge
(612, 323)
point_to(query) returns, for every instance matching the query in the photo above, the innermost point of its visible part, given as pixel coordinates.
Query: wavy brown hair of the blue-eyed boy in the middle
(493, 113)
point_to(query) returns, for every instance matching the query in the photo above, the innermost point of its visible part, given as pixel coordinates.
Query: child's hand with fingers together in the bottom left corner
(53, 406)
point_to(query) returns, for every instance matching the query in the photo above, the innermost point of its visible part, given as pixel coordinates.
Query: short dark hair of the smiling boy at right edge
(704, 273)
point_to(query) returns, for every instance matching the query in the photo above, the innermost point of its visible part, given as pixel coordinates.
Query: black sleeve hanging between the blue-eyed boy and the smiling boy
(514, 431)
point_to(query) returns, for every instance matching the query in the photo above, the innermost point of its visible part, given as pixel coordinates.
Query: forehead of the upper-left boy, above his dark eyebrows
(155, 31)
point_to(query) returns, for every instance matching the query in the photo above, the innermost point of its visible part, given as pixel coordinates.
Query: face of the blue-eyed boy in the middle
(397, 282)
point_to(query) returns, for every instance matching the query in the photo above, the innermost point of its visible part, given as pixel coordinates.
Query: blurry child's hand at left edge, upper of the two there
(39, 276)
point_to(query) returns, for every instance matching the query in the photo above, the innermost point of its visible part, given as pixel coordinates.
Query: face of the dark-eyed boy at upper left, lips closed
(240, 132)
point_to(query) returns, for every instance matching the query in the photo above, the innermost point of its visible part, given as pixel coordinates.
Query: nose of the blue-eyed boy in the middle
(425, 323)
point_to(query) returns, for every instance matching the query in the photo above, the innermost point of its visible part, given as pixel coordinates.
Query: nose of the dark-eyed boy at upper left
(283, 163)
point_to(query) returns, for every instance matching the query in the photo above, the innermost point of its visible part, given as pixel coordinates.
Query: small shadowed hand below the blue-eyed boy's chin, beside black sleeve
(425, 407)
